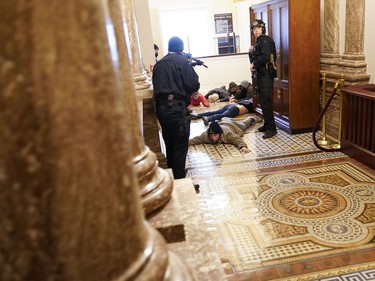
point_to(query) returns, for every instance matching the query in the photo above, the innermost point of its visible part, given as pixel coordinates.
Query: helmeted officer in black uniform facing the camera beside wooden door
(262, 58)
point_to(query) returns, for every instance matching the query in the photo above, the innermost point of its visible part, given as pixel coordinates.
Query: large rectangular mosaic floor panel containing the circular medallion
(290, 216)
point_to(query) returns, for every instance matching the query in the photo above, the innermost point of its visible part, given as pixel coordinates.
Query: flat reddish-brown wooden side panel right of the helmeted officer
(304, 64)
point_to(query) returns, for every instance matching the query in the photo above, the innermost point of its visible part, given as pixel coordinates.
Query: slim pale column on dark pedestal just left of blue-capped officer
(143, 84)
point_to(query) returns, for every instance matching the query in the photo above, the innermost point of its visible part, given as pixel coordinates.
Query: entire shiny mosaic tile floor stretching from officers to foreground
(284, 210)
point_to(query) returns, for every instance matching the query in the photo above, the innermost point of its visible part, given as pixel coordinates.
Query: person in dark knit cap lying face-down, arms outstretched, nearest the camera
(226, 131)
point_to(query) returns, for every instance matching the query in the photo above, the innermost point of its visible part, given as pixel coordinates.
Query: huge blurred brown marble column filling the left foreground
(69, 203)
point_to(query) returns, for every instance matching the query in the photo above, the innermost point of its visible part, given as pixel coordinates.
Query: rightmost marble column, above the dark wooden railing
(353, 57)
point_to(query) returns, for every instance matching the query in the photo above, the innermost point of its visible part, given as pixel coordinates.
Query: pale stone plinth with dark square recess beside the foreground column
(195, 247)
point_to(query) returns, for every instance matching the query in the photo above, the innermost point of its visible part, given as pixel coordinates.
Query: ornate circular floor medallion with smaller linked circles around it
(326, 206)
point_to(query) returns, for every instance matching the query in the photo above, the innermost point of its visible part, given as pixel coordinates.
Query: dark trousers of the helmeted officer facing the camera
(265, 86)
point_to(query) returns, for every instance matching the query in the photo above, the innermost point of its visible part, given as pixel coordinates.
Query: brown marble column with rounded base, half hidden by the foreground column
(156, 184)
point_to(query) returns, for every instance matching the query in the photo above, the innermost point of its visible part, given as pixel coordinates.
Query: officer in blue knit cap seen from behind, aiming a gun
(174, 80)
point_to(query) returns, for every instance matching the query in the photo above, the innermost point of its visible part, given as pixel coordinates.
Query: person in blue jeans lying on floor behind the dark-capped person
(230, 110)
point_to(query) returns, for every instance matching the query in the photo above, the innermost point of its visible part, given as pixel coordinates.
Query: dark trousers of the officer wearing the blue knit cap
(175, 131)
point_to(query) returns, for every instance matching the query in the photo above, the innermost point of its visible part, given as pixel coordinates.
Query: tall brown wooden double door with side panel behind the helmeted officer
(294, 26)
